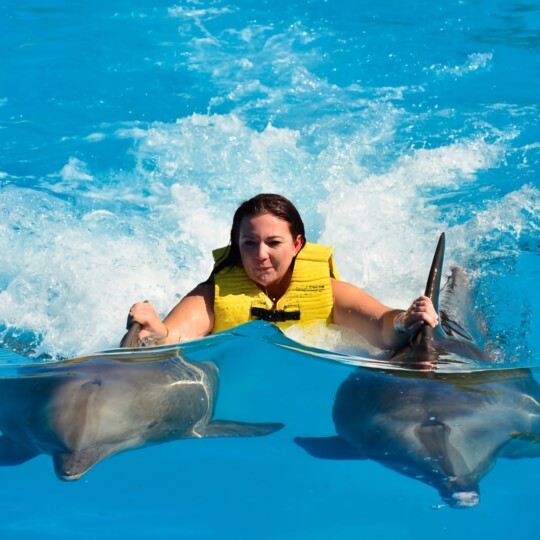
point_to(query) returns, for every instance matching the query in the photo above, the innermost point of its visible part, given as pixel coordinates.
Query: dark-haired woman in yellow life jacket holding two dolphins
(270, 272)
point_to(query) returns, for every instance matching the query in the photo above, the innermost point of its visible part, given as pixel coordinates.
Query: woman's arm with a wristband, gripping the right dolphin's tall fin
(356, 309)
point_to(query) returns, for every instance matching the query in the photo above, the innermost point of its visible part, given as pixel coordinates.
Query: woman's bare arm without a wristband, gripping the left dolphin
(191, 318)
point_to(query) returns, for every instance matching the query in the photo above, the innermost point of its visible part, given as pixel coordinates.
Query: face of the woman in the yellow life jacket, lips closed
(267, 248)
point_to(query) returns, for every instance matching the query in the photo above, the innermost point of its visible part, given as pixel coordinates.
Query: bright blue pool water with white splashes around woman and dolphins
(129, 133)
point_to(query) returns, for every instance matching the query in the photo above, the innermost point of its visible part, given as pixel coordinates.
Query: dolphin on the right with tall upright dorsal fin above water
(445, 429)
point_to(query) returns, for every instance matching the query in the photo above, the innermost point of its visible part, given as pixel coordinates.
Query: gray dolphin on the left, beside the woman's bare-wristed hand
(84, 410)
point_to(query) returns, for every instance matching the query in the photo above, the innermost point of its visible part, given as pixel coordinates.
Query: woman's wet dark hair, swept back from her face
(264, 203)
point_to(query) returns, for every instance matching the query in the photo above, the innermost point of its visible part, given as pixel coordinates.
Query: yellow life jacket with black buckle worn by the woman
(308, 299)
